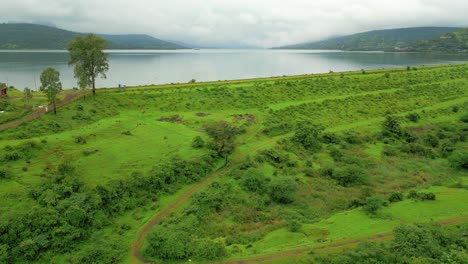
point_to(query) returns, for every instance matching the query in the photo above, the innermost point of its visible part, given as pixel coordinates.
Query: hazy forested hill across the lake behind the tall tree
(32, 36)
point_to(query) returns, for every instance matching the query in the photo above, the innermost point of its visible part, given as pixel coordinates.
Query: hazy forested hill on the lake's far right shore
(382, 40)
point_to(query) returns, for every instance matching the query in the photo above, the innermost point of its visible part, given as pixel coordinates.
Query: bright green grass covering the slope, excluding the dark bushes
(355, 103)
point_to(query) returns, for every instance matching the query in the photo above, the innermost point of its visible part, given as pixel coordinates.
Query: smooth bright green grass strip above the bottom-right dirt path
(355, 224)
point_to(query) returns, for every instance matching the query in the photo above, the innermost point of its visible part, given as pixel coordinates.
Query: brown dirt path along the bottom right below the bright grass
(354, 242)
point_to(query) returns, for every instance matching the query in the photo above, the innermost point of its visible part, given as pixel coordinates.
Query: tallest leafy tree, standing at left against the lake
(89, 60)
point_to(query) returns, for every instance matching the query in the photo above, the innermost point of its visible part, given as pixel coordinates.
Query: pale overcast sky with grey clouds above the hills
(262, 23)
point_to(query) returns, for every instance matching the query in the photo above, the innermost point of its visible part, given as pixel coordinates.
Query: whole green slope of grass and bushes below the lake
(284, 163)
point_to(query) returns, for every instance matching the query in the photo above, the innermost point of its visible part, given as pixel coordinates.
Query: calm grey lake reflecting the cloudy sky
(140, 67)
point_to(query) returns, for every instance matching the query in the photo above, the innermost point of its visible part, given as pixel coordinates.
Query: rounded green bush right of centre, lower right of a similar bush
(283, 190)
